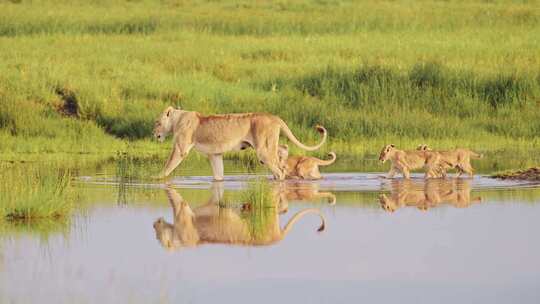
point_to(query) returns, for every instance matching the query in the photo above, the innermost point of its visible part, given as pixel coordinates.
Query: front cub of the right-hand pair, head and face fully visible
(405, 161)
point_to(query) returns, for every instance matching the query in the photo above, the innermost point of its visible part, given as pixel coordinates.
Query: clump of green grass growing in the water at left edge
(30, 193)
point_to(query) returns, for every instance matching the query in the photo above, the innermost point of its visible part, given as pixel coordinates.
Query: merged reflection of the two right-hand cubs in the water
(428, 194)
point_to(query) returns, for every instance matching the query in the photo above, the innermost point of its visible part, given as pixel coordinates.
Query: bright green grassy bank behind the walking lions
(88, 78)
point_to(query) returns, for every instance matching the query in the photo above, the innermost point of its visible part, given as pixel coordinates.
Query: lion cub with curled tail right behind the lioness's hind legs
(305, 167)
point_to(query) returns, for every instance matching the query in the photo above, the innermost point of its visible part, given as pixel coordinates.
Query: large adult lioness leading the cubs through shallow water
(216, 134)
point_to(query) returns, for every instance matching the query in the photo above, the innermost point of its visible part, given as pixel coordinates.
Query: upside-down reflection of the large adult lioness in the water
(212, 223)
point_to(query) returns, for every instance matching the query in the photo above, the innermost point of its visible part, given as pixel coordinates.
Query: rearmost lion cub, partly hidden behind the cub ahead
(459, 159)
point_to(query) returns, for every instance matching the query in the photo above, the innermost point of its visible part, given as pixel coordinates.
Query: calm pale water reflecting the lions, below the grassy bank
(466, 241)
